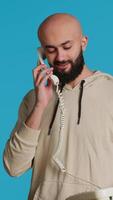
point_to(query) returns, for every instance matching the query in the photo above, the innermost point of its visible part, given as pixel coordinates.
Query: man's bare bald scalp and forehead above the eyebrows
(58, 26)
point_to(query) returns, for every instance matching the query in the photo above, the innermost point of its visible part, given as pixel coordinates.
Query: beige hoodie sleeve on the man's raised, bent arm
(20, 148)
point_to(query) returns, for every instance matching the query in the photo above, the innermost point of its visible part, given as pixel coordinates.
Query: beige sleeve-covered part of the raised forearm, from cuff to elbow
(20, 150)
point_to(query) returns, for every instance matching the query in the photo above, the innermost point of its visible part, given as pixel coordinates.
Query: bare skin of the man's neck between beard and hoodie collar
(85, 73)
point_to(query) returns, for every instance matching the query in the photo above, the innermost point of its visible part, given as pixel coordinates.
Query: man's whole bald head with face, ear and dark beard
(63, 44)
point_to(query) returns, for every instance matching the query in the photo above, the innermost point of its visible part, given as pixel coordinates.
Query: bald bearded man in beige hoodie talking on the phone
(78, 158)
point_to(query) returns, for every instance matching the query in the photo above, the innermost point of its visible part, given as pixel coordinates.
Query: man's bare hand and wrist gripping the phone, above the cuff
(44, 91)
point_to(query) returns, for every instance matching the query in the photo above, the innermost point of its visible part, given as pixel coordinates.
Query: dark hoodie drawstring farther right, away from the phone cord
(80, 100)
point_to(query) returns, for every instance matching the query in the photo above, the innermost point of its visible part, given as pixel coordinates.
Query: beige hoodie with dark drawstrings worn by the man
(75, 159)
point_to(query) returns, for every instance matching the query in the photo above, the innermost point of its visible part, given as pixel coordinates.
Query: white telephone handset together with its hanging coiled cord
(55, 80)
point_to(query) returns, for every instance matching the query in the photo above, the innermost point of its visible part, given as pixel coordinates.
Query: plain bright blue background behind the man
(19, 20)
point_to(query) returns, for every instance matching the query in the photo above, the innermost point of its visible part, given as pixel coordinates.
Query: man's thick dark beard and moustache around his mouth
(75, 70)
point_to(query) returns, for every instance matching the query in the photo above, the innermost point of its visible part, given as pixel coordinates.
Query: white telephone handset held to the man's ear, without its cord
(41, 56)
